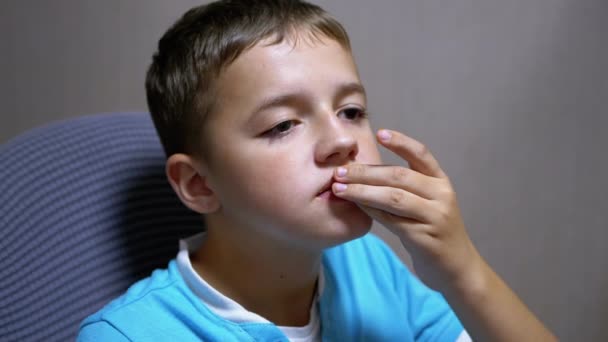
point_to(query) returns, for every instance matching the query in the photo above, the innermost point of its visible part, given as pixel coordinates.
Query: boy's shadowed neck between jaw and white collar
(275, 281)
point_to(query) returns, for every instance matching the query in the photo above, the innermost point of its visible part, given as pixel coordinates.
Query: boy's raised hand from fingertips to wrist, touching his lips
(419, 205)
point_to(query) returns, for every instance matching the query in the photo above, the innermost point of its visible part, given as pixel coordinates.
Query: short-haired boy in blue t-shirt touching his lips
(262, 115)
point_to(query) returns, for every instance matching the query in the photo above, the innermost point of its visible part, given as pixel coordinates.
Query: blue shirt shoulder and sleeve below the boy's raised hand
(366, 274)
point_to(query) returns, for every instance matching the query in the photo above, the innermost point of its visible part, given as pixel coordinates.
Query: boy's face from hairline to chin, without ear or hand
(286, 117)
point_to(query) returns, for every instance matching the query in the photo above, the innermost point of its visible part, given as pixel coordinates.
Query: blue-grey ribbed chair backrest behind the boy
(85, 211)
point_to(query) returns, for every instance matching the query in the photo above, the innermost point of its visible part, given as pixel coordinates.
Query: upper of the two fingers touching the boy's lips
(390, 176)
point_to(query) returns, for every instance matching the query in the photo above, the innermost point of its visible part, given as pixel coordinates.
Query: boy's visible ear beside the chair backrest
(189, 180)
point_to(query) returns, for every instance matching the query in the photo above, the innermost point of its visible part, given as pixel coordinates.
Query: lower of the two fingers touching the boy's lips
(395, 201)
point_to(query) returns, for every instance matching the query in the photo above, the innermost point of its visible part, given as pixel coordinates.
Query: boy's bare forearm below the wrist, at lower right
(491, 311)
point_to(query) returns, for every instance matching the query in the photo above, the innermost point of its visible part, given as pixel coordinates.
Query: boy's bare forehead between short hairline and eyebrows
(295, 64)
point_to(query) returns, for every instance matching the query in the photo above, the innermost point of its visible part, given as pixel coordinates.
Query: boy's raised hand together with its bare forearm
(419, 205)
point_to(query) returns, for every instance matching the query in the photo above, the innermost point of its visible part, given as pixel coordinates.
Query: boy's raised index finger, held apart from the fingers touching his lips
(414, 152)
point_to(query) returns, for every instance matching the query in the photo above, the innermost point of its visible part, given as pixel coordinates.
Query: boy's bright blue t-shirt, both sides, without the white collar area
(368, 295)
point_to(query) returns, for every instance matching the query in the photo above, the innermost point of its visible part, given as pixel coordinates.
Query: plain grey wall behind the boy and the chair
(511, 97)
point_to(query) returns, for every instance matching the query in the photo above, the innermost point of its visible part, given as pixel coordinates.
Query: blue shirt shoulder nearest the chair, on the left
(163, 308)
